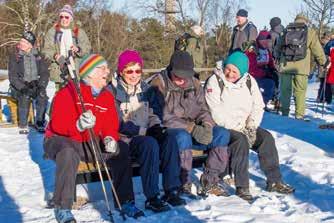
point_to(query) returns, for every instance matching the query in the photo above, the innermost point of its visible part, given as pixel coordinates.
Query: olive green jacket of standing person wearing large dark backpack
(303, 67)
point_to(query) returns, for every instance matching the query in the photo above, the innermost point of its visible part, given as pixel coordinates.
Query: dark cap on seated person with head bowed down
(182, 64)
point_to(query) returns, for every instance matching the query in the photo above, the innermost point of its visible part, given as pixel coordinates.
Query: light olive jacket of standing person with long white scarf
(52, 47)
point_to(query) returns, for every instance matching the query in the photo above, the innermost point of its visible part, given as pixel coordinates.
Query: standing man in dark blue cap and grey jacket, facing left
(245, 31)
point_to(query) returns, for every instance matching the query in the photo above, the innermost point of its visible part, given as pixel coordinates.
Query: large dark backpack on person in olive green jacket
(295, 42)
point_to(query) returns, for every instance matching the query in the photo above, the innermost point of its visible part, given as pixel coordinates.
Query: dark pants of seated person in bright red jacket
(67, 155)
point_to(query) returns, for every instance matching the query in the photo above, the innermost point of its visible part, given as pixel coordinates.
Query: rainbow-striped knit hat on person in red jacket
(88, 63)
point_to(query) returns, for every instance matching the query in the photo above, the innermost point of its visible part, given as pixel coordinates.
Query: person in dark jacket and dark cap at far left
(28, 77)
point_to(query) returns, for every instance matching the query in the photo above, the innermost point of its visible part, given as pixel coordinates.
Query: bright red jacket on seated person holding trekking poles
(66, 111)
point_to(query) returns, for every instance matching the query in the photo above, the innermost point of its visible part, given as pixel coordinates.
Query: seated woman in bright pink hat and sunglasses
(146, 136)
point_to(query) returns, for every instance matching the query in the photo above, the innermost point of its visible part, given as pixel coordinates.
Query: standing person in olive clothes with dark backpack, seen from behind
(295, 63)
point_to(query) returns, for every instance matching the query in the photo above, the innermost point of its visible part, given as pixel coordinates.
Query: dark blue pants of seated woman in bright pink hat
(147, 151)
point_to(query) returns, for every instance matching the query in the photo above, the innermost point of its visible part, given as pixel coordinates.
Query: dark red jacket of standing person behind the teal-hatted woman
(257, 68)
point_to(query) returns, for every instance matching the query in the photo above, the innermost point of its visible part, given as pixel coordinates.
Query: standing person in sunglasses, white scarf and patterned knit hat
(64, 36)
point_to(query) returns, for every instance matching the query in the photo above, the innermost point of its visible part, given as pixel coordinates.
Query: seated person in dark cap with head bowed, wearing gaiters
(182, 108)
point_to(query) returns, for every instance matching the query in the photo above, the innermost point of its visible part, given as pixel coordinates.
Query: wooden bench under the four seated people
(87, 172)
